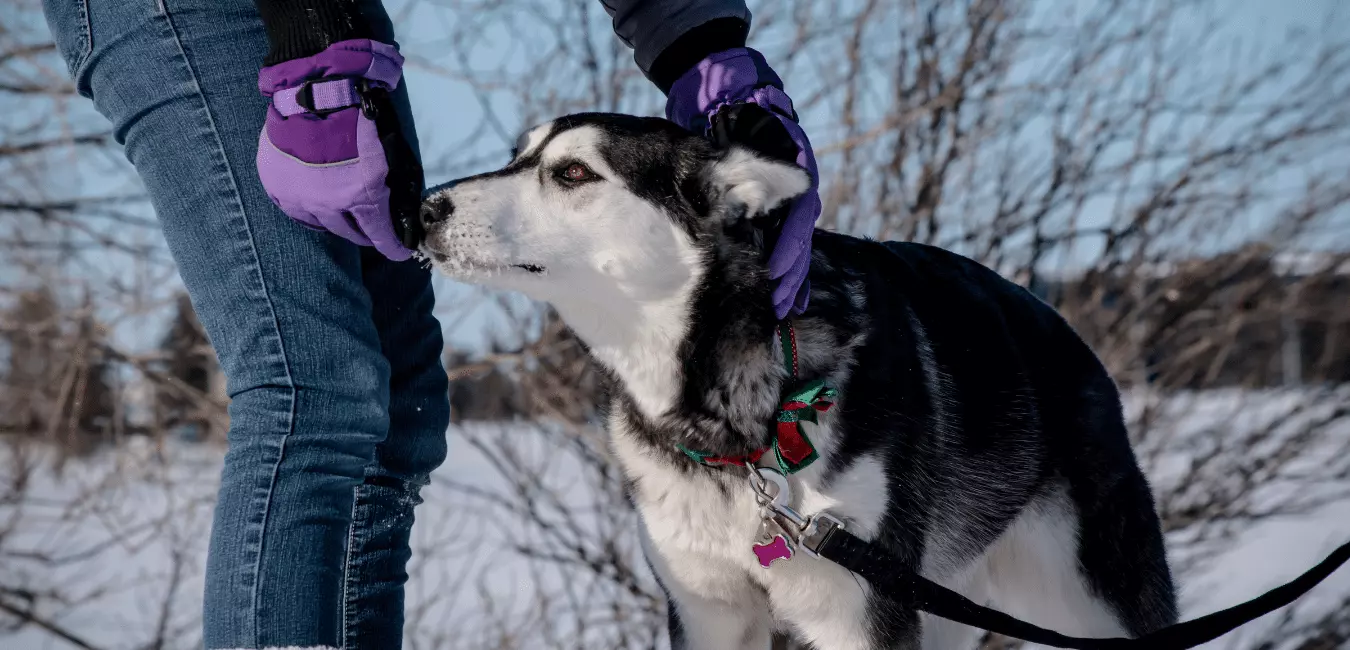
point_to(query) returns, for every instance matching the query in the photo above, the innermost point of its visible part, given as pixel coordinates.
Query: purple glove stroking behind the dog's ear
(718, 87)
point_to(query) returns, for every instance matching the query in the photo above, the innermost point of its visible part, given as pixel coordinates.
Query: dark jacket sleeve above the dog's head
(669, 37)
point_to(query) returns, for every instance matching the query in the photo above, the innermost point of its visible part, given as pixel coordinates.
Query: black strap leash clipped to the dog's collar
(880, 568)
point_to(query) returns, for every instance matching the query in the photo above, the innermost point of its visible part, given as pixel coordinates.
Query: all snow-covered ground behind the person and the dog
(122, 534)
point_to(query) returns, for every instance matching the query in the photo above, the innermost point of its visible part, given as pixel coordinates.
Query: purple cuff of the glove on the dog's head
(726, 78)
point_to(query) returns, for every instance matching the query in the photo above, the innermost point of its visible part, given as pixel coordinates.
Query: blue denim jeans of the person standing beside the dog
(331, 353)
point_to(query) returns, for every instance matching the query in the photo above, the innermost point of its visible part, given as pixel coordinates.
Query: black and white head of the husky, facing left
(601, 210)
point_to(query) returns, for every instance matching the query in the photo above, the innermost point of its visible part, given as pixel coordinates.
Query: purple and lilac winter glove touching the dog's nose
(331, 153)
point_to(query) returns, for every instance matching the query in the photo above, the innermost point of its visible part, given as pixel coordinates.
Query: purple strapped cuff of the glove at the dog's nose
(380, 64)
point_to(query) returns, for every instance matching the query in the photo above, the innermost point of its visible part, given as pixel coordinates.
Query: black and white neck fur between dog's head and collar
(701, 368)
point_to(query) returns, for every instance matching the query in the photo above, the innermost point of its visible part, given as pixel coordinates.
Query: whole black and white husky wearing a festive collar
(974, 433)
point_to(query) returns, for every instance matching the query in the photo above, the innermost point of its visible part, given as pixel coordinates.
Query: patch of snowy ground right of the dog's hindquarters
(1313, 487)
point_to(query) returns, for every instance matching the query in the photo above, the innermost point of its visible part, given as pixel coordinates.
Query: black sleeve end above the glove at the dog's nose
(300, 29)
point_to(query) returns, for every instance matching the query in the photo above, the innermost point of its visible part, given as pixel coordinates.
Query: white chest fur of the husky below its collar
(700, 536)
